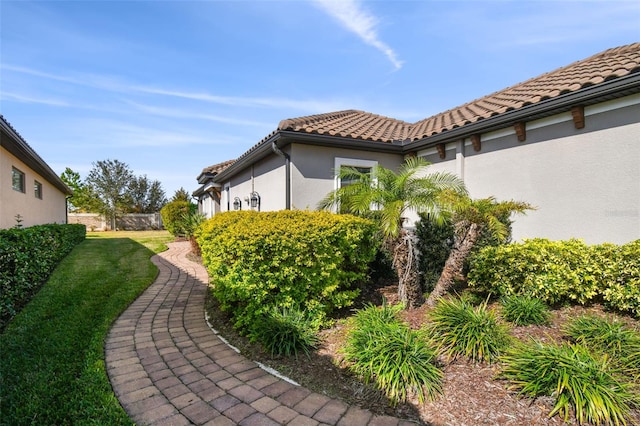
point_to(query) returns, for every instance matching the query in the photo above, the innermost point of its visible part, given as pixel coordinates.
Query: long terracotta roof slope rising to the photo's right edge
(604, 66)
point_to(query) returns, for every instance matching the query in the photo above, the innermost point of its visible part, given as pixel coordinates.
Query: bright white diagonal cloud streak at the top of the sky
(357, 20)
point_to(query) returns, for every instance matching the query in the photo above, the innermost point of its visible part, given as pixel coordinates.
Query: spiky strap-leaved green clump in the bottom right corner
(579, 381)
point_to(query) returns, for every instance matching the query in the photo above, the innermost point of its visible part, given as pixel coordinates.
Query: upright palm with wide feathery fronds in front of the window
(387, 196)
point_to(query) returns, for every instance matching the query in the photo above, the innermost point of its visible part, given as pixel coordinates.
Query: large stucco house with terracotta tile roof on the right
(567, 142)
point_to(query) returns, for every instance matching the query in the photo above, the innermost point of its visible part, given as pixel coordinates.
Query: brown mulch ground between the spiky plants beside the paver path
(472, 394)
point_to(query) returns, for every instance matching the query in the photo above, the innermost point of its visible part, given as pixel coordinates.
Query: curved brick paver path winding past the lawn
(167, 367)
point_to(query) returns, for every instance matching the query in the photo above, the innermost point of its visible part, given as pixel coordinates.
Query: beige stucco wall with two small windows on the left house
(50, 209)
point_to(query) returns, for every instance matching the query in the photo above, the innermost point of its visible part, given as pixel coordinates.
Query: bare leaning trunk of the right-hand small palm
(455, 262)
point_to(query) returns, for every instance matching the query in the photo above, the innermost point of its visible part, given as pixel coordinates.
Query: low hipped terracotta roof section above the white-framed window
(350, 124)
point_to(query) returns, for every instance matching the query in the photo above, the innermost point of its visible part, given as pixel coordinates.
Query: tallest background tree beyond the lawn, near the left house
(110, 180)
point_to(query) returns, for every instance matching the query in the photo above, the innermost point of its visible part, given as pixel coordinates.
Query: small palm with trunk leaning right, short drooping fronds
(471, 218)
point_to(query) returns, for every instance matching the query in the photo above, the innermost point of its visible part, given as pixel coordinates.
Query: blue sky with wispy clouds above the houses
(171, 87)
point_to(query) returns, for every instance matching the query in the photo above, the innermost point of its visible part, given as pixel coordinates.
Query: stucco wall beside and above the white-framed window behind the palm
(312, 171)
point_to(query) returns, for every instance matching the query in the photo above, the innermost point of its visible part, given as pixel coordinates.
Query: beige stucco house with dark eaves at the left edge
(28, 186)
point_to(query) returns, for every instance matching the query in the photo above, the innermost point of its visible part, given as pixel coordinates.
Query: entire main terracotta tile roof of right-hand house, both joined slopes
(604, 66)
